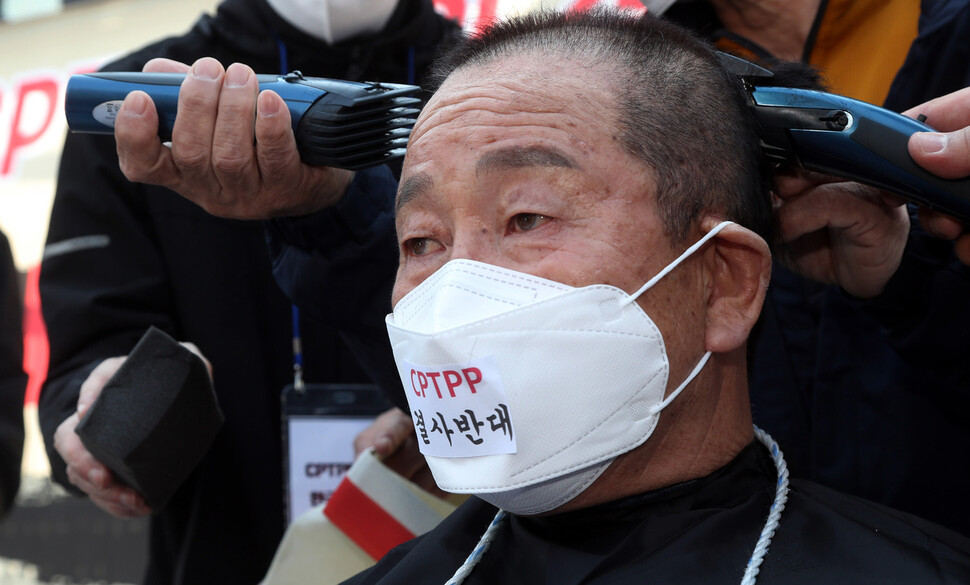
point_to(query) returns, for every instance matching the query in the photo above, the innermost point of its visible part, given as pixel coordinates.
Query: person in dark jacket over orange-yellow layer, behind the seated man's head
(862, 388)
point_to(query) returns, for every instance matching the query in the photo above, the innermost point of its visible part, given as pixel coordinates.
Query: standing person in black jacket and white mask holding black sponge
(122, 256)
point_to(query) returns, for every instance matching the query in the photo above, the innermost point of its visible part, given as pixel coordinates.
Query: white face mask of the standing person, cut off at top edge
(334, 21)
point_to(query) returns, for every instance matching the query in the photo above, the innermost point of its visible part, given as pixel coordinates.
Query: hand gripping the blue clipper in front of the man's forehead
(233, 152)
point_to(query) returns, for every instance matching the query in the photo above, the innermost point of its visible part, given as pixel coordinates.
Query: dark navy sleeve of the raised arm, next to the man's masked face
(338, 265)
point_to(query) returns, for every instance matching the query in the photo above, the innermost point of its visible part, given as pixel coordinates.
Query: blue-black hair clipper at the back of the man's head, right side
(848, 138)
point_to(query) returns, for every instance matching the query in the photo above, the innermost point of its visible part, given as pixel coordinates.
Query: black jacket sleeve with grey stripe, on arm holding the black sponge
(102, 281)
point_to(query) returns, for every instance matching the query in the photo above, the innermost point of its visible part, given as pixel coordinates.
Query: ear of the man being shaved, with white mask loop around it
(739, 269)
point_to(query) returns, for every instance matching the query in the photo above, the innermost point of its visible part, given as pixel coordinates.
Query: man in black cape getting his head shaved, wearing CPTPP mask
(581, 221)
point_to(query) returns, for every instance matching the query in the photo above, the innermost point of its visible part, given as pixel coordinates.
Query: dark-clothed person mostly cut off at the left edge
(13, 380)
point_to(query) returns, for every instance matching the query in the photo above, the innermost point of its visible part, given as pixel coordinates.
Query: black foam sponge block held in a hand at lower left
(155, 418)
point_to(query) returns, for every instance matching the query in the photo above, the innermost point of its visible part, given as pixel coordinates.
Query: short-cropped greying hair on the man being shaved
(680, 111)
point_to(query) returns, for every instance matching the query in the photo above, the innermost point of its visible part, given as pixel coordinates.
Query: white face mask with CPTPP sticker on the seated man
(522, 389)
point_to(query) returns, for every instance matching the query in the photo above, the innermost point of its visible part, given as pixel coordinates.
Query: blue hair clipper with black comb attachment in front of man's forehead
(337, 123)
